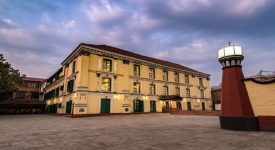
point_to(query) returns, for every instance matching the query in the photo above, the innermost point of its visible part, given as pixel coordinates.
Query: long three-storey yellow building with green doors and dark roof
(96, 79)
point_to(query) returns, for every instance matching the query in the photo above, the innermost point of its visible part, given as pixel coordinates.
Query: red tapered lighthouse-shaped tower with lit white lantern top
(236, 109)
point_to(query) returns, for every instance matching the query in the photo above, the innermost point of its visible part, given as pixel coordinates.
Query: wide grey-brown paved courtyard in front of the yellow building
(143, 131)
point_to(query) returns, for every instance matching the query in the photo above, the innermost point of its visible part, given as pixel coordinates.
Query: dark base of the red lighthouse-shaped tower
(244, 123)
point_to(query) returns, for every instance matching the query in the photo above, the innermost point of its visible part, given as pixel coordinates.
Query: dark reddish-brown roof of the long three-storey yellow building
(137, 56)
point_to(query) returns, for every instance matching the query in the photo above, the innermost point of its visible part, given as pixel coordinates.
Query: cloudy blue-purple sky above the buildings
(37, 35)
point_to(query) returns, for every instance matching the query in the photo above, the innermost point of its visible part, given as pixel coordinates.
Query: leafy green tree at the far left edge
(10, 79)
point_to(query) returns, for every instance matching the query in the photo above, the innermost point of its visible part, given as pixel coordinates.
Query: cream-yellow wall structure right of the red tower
(261, 93)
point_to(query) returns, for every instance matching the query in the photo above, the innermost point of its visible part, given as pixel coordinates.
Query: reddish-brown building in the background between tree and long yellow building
(28, 90)
